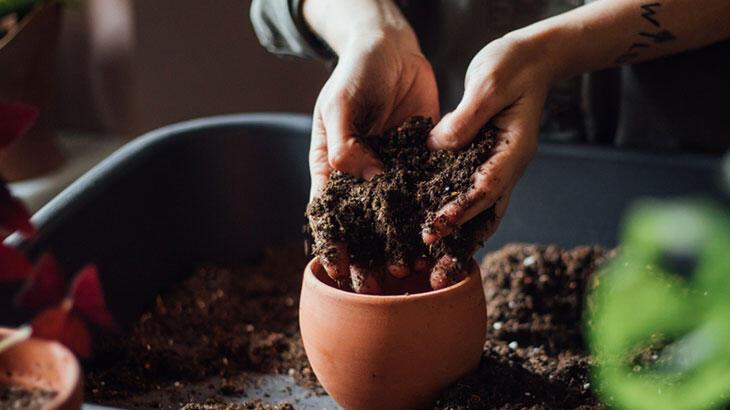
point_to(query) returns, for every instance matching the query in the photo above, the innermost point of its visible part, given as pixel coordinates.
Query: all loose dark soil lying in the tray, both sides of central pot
(222, 322)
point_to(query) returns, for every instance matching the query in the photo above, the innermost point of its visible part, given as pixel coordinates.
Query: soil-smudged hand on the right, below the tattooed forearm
(506, 82)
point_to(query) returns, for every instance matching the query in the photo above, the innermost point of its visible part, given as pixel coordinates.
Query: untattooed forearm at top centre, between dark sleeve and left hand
(343, 22)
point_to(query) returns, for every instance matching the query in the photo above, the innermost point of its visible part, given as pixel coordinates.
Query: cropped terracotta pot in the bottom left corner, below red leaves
(43, 364)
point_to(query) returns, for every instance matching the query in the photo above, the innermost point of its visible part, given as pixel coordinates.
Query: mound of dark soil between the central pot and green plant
(535, 356)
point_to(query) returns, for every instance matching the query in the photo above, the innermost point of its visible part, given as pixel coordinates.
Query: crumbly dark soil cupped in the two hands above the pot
(381, 220)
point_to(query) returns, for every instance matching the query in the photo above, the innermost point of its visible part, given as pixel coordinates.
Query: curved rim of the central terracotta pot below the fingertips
(310, 279)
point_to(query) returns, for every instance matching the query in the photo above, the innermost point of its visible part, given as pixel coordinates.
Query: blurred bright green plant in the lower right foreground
(659, 314)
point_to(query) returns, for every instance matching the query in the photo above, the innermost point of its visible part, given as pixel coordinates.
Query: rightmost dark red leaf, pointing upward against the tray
(88, 298)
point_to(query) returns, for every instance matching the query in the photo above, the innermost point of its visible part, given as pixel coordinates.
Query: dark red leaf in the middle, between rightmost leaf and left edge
(46, 286)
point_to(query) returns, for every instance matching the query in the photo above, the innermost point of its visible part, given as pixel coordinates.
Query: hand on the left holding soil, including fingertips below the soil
(380, 81)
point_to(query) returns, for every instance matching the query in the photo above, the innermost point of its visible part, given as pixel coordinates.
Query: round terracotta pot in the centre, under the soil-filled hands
(391, 352)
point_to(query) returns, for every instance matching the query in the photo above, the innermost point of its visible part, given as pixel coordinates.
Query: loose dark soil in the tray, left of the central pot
(212, 327)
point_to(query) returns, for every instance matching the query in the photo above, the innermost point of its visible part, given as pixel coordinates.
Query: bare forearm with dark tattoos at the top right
(607, 33)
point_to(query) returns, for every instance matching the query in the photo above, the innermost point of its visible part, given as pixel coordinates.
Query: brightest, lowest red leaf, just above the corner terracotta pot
(62, 325)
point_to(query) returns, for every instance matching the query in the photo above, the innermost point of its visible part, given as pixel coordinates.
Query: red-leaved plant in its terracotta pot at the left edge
(37, 368)
